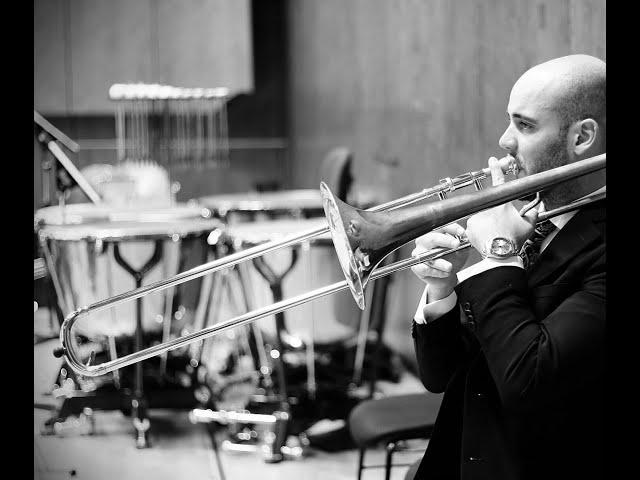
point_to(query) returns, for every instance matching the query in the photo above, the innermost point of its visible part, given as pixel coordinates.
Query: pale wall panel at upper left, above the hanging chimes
(82, 47)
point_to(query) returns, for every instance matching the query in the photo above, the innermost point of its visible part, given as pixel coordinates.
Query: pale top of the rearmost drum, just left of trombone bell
(235, 207)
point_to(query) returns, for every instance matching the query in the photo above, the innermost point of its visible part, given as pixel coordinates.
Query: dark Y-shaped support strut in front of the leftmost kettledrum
(138, 402)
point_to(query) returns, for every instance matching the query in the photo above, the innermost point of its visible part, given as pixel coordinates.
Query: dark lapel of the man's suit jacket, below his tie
(577, 236)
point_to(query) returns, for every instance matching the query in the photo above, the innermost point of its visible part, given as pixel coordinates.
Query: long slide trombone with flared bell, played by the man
(362, 238)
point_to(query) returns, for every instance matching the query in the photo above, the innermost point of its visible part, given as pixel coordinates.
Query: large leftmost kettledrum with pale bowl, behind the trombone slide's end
(82, 243)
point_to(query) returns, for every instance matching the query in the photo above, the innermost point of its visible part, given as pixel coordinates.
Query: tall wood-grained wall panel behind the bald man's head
(425, 82)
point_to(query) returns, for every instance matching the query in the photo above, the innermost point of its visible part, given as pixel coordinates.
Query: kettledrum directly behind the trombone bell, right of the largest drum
(323, 320)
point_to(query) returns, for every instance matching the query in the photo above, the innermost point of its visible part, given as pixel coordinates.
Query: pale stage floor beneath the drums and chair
(179, 449)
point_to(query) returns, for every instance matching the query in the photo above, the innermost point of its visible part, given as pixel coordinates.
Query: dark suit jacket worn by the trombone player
(521, 362)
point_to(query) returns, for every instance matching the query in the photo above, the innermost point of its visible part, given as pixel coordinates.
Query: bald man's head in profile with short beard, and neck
(557, 114)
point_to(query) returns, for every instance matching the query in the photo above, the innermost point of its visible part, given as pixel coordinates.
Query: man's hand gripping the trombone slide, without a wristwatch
(440, 274)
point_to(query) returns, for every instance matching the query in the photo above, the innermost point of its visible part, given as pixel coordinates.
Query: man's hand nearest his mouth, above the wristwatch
(501, 221)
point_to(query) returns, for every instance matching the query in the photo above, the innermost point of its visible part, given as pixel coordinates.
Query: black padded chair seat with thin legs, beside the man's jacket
(390, 421)
